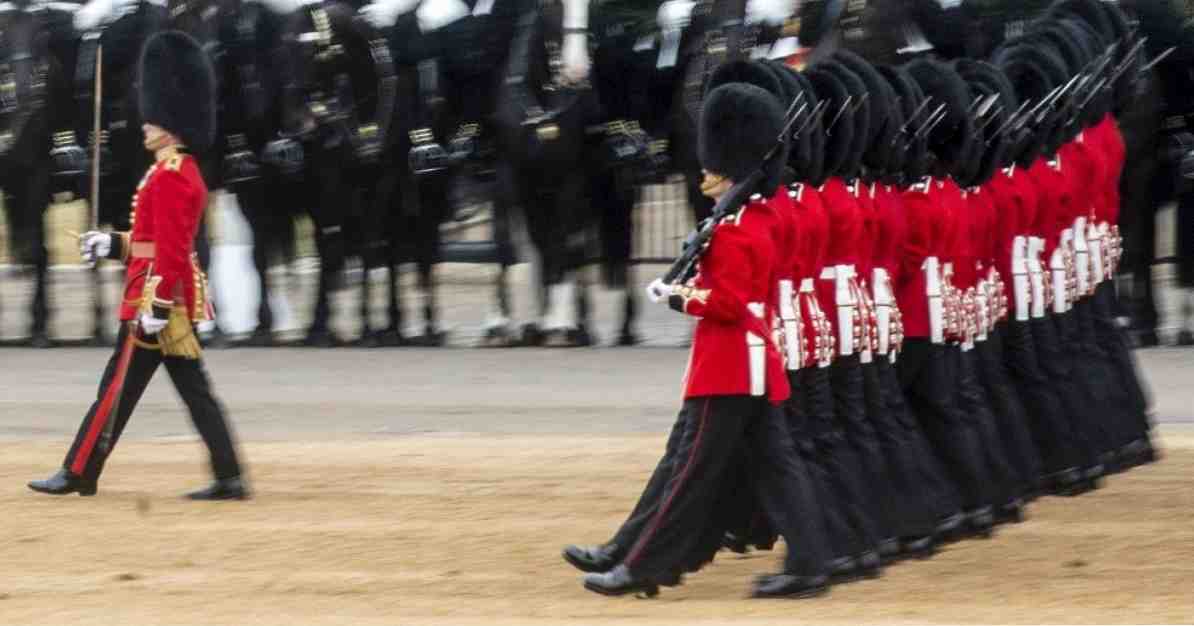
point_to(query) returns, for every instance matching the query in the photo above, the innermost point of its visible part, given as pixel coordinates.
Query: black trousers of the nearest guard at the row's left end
(710, 434)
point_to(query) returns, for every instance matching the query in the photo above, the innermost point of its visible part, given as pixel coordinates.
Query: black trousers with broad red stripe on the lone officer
(88, 456)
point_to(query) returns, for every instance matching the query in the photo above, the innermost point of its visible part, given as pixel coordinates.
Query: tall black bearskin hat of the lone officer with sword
(179, 89)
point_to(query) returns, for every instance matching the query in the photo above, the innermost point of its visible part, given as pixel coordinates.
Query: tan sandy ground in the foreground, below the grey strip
(467, 530)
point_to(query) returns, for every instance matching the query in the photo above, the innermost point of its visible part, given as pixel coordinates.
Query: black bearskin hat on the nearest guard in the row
(740, 126)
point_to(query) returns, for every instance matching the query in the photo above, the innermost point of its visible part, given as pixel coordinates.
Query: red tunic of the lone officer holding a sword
(167, 212)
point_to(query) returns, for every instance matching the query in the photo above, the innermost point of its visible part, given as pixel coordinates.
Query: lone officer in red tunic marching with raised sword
(165, 293)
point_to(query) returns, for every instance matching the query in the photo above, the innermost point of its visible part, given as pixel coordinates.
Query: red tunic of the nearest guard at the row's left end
(737, 269)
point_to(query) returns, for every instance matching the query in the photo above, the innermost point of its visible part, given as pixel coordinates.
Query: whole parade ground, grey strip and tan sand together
(413, 487)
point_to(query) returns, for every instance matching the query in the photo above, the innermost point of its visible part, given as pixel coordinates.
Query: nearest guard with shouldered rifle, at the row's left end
(736, 383)
